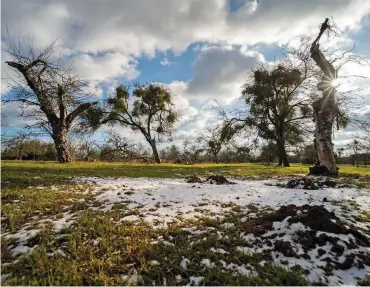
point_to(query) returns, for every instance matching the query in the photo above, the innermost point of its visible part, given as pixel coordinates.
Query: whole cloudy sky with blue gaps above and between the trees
(200, 50)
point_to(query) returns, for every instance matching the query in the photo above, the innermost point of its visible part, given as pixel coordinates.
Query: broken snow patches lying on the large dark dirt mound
(312, 260)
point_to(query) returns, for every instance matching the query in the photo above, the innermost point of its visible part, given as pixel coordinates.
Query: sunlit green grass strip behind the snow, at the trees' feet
(59, 172)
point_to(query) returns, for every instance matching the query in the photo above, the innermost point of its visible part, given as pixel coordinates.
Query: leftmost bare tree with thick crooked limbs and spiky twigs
(49, 94)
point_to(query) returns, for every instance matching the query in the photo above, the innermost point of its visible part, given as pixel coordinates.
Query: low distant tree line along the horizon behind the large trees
(115, 149)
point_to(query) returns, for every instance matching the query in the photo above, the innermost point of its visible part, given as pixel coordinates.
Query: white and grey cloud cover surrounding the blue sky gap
(104, 39)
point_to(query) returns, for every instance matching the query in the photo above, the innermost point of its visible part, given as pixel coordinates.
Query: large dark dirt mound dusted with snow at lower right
(310, 233)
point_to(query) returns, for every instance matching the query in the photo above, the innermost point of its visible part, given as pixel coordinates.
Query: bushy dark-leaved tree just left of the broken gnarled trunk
(277, 109)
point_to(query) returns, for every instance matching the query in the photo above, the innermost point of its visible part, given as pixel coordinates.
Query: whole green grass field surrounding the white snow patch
(99, 248)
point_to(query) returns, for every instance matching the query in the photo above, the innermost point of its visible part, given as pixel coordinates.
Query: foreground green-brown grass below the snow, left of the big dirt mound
(125, 249)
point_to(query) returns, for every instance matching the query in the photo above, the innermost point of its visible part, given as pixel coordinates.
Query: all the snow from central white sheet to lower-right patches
(164, 200)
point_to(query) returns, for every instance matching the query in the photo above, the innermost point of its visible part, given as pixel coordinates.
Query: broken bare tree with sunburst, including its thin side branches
(333, 106)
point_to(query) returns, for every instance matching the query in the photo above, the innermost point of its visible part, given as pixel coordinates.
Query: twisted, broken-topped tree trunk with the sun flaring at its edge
(325, 112)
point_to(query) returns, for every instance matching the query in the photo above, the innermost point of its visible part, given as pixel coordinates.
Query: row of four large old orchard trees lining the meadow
(280, 101)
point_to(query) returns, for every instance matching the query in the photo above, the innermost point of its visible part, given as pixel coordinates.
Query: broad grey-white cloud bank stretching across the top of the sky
(141, 26)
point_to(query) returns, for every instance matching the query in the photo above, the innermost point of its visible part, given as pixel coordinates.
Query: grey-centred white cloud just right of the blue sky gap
(219, 72)
